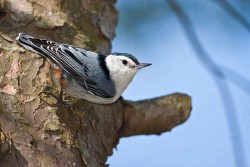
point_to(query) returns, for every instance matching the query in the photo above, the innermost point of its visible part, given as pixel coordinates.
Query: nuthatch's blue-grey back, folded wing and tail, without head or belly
(85, 67)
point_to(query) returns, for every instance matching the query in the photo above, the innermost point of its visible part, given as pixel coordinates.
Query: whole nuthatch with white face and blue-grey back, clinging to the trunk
(84, 74)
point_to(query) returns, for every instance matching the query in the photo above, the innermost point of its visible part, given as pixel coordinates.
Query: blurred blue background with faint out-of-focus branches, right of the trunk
(201, 48)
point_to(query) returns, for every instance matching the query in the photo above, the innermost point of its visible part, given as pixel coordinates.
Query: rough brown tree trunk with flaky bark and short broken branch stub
(35, 133)
